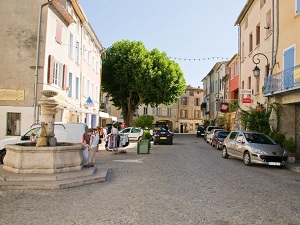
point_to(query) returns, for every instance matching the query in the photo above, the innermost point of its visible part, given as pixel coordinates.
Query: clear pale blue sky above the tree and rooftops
(194, 33)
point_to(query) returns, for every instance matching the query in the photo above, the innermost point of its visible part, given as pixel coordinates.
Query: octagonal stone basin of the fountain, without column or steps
(27, 158)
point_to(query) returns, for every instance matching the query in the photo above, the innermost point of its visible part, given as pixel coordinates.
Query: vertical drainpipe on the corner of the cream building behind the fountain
(37, 62)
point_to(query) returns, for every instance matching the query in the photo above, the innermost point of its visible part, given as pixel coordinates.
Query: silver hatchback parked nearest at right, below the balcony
(254, 147)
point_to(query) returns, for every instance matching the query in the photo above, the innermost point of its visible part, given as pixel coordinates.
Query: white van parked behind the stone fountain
(64, 132)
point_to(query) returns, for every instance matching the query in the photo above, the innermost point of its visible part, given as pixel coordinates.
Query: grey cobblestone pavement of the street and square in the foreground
(186, 183)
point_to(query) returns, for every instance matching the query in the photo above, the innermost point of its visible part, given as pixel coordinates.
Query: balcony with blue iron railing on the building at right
(283, 81)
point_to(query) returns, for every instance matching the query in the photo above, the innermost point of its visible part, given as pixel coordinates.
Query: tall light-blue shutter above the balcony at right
(289, 57)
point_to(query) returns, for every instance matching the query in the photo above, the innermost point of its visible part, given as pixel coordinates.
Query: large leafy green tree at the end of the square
(132, 75)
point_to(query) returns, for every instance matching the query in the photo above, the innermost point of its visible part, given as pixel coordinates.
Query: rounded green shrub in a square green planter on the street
(143, 122)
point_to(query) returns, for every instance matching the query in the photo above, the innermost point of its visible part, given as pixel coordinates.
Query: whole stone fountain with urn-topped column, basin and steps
(46, 164)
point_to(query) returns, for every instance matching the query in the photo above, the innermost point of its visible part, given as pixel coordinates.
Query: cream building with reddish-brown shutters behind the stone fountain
(47, 45)
